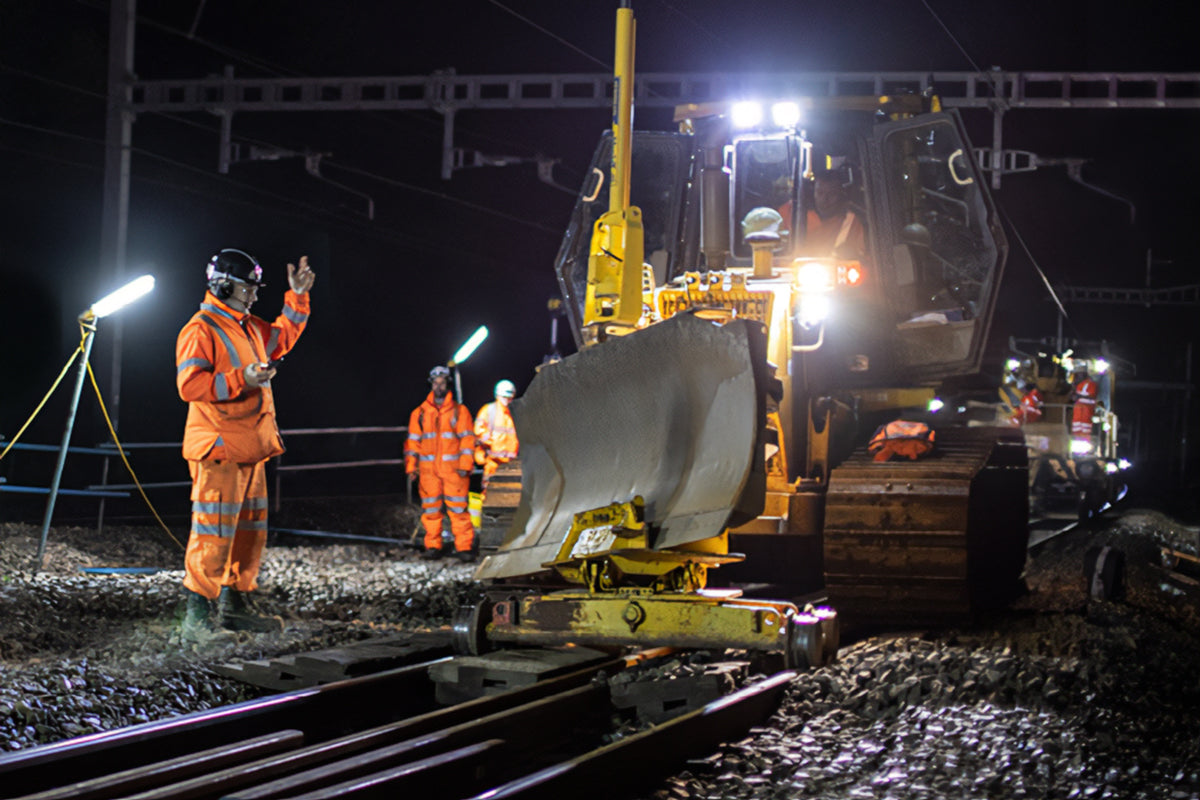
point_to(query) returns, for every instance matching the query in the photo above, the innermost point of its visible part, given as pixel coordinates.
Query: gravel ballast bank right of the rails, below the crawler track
(1061, 697)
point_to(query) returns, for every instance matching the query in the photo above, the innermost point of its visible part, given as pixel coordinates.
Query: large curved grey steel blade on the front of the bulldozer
(673, 414)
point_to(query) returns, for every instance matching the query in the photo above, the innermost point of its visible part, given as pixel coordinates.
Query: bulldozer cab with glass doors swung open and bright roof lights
(921, 222)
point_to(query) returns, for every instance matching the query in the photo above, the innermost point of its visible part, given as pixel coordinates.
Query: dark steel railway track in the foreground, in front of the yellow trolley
(383, 736)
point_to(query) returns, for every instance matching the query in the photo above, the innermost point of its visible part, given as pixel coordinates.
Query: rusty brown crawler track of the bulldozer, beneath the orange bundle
(933, 540)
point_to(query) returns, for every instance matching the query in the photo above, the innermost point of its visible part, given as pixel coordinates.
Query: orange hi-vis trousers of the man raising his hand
(229, 527)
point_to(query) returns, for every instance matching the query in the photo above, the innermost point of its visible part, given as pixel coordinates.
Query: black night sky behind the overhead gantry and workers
(398, 294)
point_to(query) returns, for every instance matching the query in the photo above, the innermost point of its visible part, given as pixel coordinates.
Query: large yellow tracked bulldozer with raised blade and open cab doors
(753, 300)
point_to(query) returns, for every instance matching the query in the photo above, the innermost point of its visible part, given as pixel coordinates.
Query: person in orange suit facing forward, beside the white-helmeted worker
(441, 450)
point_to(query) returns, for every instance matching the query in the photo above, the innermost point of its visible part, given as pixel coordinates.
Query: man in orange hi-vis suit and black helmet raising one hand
(225, 360)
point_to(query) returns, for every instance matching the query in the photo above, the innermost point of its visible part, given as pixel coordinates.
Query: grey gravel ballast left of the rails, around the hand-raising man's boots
(87, 653)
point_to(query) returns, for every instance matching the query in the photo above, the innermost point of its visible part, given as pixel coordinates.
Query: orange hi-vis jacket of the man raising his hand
(227, 419)
